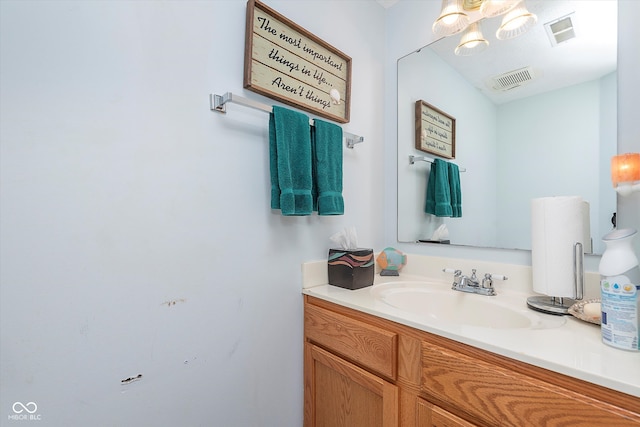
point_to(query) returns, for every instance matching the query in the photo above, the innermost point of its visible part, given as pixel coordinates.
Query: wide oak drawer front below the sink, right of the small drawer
(501, 397)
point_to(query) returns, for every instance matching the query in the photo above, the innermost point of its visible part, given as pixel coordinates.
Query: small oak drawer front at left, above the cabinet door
(371, 347)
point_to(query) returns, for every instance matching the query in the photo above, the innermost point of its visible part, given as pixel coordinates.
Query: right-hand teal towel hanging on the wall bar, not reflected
(327, 167)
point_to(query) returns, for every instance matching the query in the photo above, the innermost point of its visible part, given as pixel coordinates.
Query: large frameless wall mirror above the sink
(549, 133)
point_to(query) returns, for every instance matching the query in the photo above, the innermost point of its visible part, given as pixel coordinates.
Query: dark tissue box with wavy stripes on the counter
(351, 268)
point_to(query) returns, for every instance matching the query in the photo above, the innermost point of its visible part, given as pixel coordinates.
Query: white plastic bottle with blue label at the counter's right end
(620, 291)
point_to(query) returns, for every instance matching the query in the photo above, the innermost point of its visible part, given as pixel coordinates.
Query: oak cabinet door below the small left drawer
(340, 394)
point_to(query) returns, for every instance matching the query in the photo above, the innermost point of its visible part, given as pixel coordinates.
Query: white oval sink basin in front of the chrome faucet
(440, 304)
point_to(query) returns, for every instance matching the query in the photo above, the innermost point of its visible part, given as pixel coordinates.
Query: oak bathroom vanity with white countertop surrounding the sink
(368, 363)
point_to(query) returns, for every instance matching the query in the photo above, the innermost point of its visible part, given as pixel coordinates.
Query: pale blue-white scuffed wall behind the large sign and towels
(123, 193)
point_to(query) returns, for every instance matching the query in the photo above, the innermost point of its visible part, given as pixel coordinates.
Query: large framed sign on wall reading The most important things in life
(286, 62)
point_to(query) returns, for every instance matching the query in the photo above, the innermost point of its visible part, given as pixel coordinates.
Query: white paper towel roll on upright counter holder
(557, 223)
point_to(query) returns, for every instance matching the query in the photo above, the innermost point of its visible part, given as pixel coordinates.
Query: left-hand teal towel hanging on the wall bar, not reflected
(290, 162)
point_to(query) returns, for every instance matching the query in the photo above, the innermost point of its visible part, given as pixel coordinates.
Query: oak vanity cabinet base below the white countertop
(361, 370)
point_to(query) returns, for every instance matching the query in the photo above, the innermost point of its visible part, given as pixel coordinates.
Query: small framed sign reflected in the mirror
(435, 131)
